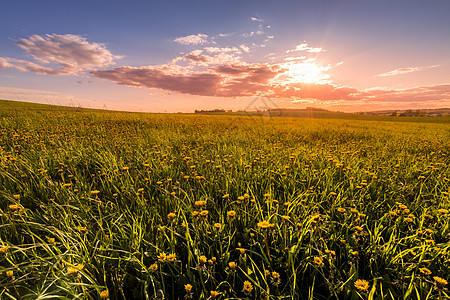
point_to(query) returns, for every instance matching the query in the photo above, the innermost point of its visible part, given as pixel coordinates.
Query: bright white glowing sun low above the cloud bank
(306, 72)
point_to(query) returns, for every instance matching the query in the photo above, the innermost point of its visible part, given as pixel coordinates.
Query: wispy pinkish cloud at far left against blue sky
(66, 54)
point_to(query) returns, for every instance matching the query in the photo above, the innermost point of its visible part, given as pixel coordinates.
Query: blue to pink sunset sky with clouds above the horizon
(179, 56)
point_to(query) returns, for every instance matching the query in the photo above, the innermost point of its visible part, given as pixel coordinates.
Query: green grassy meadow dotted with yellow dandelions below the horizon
(110, 205)
